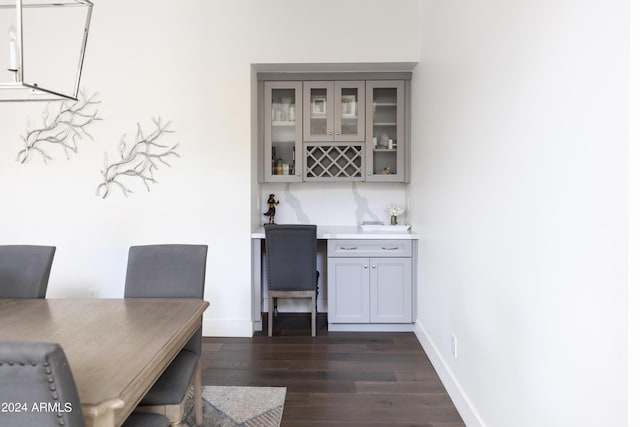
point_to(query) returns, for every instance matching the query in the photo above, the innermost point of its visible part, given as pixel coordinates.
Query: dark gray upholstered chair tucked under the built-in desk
(291, 265)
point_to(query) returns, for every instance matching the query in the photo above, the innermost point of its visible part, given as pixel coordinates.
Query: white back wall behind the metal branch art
(188, 62)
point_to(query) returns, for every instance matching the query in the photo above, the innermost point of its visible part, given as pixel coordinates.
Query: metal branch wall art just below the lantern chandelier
(64, 129)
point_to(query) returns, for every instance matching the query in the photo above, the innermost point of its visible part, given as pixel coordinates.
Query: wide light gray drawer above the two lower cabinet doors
(369, 248)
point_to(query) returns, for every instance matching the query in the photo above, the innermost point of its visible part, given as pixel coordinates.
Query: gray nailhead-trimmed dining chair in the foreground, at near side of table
(38, 373)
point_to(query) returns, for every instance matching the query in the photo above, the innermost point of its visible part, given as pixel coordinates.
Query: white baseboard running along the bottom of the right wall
(467, 411)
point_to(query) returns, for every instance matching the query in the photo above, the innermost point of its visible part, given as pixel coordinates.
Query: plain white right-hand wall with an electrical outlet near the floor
(520, 198)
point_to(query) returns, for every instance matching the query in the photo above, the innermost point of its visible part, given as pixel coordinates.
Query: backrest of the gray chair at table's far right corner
(168, 271)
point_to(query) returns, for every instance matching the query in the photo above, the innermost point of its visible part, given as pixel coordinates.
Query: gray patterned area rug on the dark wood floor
(238, 407)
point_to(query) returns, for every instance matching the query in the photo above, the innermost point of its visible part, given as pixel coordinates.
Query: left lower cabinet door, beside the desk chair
(348, 290)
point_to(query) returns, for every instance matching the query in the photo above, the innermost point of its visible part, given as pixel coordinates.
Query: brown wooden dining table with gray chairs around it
(117, 348)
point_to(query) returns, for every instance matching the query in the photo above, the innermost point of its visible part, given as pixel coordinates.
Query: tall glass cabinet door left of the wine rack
(283, 131)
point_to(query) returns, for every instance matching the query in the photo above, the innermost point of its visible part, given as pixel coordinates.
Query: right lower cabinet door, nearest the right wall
(390, 288)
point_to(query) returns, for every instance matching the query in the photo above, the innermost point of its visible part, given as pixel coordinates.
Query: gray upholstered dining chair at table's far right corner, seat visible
(171, 271)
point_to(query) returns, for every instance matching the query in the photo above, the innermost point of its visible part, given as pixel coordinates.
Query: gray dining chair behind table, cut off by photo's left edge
(25, 270)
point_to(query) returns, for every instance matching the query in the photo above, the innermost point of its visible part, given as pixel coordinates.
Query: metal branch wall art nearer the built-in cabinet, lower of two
(138, 161)
